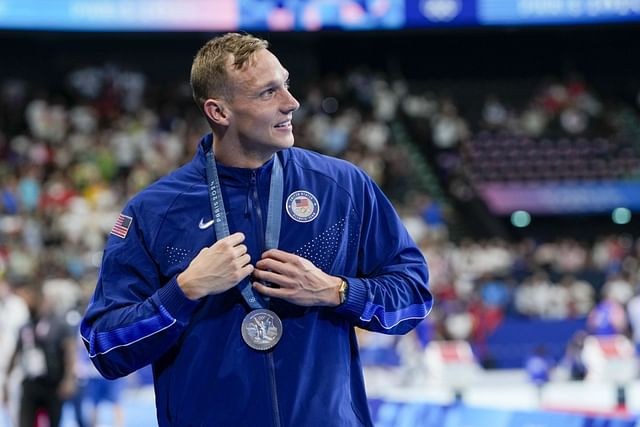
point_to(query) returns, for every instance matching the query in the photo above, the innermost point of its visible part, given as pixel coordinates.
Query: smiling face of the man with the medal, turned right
(262, 106)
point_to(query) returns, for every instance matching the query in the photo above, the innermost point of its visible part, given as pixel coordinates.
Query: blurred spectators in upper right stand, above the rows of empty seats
(551, 107)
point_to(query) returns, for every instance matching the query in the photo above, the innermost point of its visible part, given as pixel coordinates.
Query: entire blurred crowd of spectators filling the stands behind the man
(71, 156)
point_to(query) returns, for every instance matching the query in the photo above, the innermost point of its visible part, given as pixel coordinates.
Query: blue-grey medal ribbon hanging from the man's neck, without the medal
(272, 234)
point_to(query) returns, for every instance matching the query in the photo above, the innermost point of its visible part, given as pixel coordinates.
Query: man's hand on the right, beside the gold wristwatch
(301, 282)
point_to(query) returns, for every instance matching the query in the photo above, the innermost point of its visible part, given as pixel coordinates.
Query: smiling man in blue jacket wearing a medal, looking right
(241, 275)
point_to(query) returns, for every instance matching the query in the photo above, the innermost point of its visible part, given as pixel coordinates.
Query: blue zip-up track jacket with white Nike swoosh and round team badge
(205, 375)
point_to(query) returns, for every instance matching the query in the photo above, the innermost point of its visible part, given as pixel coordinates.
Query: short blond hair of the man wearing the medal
(209, 73)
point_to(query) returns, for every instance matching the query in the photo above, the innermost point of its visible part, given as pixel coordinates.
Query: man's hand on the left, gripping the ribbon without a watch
(216, 268)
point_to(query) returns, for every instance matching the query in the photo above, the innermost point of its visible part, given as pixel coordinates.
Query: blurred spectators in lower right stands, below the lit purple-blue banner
(478, 283)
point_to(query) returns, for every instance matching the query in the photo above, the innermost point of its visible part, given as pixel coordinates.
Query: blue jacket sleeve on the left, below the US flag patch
(135, 314)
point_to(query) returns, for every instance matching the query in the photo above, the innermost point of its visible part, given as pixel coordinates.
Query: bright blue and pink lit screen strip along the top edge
(304, 15)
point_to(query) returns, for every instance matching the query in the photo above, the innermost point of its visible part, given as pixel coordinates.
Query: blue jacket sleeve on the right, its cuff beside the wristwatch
(389, 293)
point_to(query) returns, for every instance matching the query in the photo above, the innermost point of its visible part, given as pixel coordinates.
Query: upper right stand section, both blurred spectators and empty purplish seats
(555, 129)
